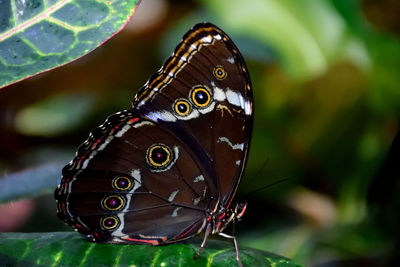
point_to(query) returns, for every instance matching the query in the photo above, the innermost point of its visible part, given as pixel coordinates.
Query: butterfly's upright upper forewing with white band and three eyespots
(219, 131)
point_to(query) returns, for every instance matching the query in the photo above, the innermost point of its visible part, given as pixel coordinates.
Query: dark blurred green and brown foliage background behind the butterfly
(326, 79)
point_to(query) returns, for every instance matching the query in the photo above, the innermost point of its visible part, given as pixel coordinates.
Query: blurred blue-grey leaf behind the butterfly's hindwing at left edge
(31, 182)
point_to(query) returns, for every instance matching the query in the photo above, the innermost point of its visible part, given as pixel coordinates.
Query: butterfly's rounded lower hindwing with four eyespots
(126, 186)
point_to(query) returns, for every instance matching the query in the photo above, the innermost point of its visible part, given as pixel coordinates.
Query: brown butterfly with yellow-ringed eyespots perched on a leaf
(168, 168)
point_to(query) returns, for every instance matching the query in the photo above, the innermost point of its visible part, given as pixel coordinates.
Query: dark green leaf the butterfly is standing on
(70, 249)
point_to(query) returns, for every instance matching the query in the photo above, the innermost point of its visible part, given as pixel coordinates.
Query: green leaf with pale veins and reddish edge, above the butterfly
(39, 35)
